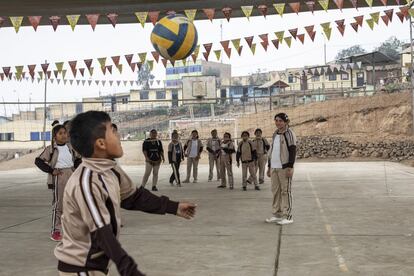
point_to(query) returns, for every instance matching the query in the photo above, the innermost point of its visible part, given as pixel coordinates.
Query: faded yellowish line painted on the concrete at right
(335, 246)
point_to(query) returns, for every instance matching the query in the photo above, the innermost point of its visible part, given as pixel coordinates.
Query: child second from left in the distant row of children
(175, 156)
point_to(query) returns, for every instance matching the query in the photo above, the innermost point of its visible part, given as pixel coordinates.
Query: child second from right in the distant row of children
(247, 155)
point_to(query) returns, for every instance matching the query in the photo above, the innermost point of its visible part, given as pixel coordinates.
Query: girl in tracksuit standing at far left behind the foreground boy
(58, 161)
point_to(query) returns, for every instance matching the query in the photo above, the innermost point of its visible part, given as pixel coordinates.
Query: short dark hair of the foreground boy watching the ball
(86, 128)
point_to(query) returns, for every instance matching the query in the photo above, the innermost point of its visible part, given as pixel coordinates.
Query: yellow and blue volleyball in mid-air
(174, 37)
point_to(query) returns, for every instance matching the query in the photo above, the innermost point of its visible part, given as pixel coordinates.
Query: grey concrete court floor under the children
(351, 218)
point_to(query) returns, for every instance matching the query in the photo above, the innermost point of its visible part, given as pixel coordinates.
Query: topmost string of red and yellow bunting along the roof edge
(209, 13)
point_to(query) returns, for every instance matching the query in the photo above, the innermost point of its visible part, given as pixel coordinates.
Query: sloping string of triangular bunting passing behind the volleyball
(108, 65)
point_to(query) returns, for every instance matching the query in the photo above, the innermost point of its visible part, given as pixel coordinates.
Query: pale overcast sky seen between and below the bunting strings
(30, 47)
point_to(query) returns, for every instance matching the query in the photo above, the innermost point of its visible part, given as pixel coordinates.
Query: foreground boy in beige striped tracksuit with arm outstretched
(94, 195)
